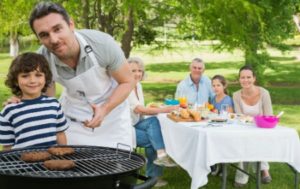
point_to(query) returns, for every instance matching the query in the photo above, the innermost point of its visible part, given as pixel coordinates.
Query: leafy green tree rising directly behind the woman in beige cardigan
(249, 25)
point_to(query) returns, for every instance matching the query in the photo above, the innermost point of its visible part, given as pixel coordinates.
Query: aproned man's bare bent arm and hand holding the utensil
(126, 82)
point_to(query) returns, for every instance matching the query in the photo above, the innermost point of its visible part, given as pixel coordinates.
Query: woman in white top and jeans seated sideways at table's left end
(148, 131)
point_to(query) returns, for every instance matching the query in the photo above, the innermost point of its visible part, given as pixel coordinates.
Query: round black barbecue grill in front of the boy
(96, 167)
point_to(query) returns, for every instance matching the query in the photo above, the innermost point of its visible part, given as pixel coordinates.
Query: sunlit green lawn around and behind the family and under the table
(166, 68)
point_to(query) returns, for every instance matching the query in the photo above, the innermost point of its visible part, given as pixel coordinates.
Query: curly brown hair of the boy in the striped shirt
(24, 63)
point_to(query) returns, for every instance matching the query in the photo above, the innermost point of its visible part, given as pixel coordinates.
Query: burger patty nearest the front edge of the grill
(59, 165)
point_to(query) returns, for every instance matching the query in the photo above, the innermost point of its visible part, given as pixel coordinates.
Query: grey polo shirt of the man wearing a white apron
(108, 54)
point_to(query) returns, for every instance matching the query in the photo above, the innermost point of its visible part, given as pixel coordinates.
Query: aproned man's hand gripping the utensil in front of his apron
(99, 114)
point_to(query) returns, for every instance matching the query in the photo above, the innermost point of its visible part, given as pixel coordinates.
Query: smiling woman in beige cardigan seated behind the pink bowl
(251, 100)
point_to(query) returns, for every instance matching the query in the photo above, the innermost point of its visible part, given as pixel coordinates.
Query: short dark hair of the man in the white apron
(44, 8)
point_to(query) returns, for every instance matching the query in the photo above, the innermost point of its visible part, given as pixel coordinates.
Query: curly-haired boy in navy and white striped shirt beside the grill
(37, 120)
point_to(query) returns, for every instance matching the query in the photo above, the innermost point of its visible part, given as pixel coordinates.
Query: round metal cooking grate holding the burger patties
(89, 160)
